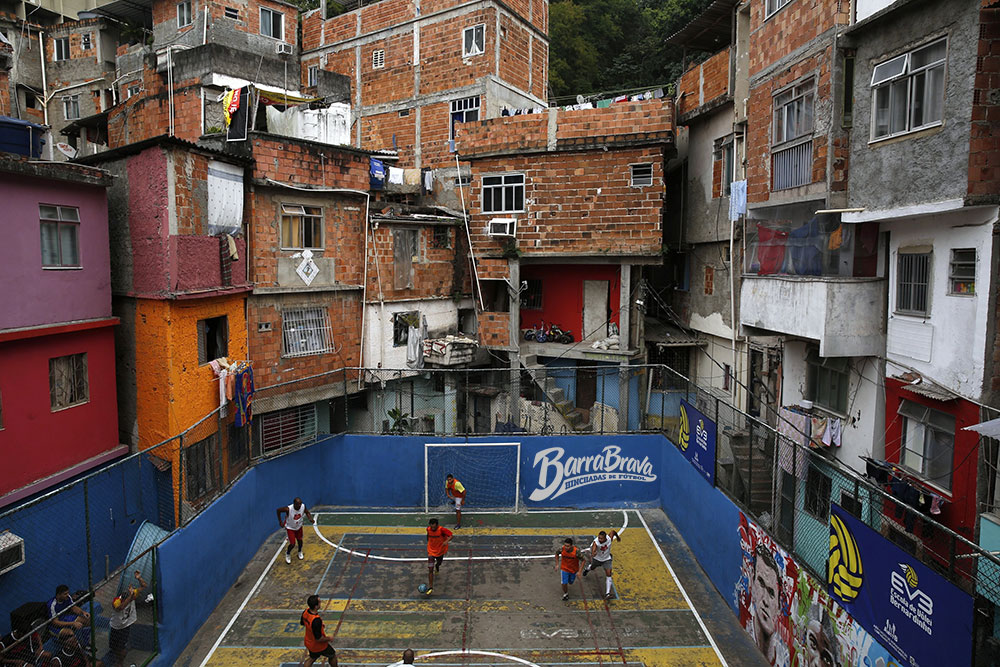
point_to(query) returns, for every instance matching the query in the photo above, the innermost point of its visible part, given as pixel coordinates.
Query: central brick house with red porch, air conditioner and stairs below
(565, 211)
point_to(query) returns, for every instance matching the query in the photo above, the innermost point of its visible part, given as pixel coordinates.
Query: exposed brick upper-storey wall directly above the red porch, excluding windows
(577, 203)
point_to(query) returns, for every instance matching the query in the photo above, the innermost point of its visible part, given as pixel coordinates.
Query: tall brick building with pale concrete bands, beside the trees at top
(417, 69)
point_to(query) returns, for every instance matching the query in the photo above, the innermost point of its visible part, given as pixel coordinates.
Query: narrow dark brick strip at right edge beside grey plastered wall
(984, 146)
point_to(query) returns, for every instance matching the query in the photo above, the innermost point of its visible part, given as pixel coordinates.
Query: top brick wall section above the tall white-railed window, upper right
(791, 27)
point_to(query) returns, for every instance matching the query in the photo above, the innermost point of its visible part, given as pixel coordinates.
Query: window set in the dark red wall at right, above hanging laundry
(928, 446)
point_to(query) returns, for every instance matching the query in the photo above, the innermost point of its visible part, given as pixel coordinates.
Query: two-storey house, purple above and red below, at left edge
(58, 410)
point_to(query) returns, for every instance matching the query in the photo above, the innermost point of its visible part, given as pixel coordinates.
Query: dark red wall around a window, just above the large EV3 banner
(959, 513)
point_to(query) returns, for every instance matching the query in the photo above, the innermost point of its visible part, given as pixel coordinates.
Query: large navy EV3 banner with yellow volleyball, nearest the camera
(919, 616)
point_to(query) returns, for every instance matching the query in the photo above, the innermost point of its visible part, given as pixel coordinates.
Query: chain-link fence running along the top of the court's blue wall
(93, 535)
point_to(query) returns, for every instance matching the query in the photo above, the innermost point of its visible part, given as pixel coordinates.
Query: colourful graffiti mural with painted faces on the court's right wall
(789, 614)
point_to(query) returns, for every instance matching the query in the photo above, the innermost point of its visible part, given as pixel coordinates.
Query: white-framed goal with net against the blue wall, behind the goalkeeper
(489, 471)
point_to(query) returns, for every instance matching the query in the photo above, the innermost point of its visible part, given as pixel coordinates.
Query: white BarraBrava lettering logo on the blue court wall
(558, 473)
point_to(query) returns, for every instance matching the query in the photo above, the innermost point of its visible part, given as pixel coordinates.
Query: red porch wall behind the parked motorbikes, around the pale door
(562, 293)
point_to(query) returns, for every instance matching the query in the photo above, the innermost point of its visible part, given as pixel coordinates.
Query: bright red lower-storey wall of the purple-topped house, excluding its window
(36, 442)
